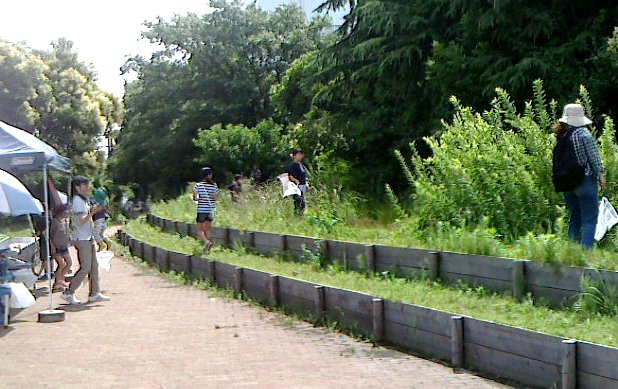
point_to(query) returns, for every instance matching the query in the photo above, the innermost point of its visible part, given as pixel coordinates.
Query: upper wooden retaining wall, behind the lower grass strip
(556, 284)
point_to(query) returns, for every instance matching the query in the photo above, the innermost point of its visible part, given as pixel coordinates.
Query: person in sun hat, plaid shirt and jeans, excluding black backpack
(582, 202)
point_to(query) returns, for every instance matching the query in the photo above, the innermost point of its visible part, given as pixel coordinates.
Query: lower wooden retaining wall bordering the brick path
(527, 357)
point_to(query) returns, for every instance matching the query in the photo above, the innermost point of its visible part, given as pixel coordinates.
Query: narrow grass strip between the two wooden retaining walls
(473, 302)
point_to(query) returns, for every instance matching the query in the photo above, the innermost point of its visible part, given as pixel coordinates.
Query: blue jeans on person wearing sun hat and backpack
(583, 205)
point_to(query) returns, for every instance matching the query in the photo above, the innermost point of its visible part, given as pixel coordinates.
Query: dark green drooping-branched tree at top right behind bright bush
(389, 76)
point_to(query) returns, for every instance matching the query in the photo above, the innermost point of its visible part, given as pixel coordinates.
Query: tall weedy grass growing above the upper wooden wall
(331, 215)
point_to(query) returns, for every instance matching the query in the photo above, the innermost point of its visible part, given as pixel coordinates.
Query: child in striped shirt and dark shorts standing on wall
(206, 193)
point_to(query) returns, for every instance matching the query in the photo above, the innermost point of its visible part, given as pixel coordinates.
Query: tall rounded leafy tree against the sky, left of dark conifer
(214, 69)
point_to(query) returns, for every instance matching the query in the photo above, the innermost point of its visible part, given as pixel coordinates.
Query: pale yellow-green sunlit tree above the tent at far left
(54, 94)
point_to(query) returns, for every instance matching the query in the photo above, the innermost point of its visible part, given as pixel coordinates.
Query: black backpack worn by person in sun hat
(567, 173)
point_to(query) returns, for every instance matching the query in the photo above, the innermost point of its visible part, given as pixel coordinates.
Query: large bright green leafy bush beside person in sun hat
(494, 169)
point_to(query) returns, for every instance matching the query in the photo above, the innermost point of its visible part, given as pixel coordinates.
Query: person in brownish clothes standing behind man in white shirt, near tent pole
(59, 233)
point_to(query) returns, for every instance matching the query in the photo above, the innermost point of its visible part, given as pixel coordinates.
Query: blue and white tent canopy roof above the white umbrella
(21, 151)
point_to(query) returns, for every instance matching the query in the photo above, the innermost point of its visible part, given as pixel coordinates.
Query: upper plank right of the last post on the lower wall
(597, 360)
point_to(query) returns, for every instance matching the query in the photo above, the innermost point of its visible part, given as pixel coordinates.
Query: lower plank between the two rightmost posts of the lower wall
(503, 364)
